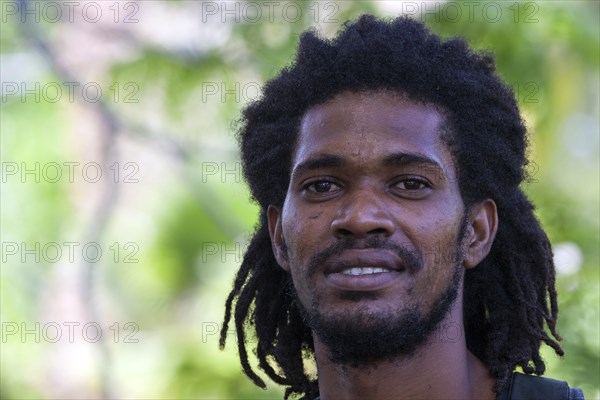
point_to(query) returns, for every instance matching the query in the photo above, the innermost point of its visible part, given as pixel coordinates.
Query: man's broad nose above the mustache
(363, 214)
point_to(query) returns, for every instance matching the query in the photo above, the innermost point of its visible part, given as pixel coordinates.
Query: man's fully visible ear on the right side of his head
(481, 232)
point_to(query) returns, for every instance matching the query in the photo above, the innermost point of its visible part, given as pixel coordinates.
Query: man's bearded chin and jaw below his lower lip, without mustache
(361, 329)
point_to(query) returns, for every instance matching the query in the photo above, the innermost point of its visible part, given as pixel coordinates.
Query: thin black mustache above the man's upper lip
(411, 259)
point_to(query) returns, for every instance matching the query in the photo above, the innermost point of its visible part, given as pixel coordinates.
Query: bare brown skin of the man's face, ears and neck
(374, 164)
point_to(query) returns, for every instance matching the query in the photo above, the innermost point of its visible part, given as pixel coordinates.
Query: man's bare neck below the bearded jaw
(443, 368)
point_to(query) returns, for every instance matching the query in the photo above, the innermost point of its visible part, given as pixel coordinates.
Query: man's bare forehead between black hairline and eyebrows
(367, 127)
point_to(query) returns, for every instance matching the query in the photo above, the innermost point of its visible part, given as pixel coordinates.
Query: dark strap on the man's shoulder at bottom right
(530, 387)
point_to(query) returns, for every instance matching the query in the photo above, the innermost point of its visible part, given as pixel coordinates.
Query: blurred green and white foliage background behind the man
(124, 213)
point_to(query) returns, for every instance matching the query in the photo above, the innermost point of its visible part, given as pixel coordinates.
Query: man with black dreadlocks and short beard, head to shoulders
(394, 247)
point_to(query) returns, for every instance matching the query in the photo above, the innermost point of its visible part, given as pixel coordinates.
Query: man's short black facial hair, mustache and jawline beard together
(361, 338)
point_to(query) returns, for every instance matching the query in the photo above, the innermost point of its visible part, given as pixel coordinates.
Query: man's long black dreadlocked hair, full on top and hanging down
(508, 298)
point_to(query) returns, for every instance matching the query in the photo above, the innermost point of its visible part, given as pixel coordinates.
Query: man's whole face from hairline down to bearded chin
(372, 222)
